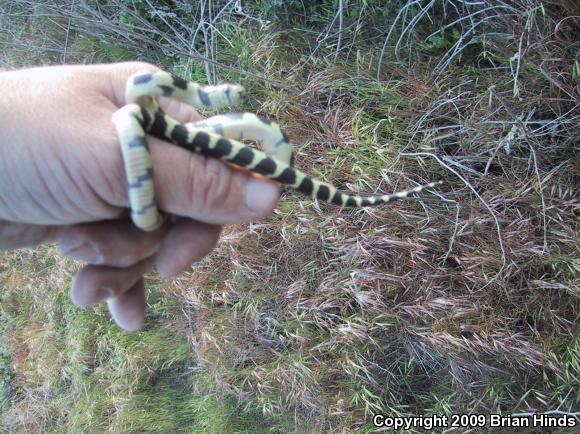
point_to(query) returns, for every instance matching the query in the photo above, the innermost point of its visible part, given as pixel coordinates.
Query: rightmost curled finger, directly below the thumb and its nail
(187, 241)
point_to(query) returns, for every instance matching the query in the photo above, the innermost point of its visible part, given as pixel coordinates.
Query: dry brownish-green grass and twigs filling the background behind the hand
(464, 301)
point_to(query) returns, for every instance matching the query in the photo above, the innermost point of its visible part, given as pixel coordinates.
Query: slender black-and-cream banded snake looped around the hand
(218, 136)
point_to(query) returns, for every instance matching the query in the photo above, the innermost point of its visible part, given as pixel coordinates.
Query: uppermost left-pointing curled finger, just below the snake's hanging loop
(114, 243)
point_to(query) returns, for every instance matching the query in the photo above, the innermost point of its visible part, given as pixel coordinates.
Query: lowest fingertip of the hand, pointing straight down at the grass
(128, 309)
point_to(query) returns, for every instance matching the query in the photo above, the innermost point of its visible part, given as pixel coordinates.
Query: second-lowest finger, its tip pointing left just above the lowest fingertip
(96, 283)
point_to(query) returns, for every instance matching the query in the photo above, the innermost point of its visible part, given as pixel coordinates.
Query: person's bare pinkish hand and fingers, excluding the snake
(62, 180)
